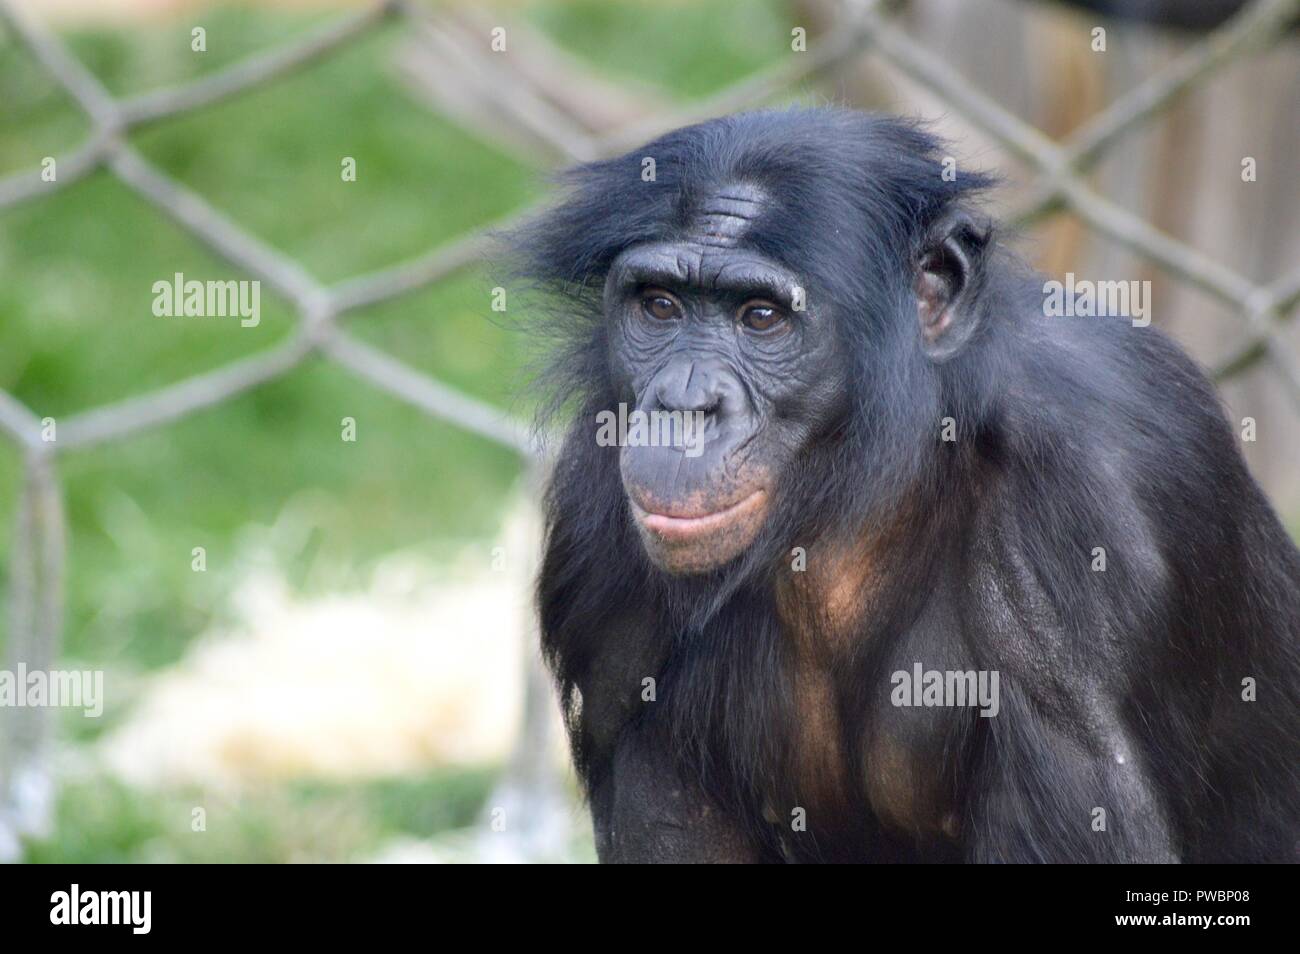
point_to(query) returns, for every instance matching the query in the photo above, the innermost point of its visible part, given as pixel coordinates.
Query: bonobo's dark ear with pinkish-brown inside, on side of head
(947, 277)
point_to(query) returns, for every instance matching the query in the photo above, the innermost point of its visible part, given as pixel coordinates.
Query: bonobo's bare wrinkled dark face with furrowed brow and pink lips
(720, 337)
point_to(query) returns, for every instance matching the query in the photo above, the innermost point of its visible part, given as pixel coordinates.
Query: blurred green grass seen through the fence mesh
(77, 331)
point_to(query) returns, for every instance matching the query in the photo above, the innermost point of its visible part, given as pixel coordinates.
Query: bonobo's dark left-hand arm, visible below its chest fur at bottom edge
(645, 814)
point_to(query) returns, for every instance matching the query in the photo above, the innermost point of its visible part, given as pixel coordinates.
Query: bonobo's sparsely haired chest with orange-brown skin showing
(860, 743)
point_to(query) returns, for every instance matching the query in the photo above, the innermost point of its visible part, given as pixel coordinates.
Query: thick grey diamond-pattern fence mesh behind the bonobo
(37, 558)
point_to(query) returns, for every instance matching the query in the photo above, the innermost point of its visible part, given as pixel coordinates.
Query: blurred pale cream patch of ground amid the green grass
(422, 669)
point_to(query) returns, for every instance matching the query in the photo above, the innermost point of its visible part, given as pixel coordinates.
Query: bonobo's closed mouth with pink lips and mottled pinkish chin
(696, 536)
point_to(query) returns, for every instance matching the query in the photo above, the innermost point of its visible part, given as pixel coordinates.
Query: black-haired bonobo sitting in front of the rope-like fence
(946, 580)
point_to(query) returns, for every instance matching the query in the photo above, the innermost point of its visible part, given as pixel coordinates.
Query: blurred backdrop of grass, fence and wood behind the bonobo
(348, 675)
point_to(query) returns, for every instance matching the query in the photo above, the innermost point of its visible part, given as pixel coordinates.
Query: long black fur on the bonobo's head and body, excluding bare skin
(1073, 433)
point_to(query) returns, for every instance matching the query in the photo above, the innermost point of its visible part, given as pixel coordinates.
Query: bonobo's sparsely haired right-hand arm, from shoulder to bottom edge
(1060, 777)
